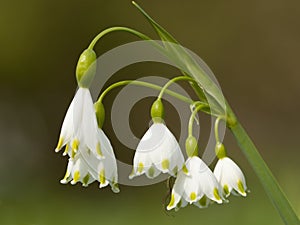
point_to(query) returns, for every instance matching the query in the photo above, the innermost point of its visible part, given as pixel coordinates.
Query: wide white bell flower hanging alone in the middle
(158, 151)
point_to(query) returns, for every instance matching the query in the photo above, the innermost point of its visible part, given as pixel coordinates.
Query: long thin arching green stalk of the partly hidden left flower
(144, 84)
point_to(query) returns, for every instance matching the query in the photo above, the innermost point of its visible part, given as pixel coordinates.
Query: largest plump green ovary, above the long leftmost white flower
(86, 68)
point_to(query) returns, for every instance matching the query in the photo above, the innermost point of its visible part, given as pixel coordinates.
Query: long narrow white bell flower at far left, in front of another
(79, 129)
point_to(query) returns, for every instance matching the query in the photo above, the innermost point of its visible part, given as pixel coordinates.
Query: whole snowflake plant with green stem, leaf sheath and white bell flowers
(91, 155)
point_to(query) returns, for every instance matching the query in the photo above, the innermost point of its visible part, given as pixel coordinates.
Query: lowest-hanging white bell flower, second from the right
(195, 184)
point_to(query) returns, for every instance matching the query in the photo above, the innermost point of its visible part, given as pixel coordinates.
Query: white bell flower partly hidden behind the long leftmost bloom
(86, 166)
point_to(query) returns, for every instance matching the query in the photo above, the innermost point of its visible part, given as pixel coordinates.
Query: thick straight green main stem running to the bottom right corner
(266, 177)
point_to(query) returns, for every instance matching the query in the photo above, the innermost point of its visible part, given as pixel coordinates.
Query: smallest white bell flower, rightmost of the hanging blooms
(230, 177)
